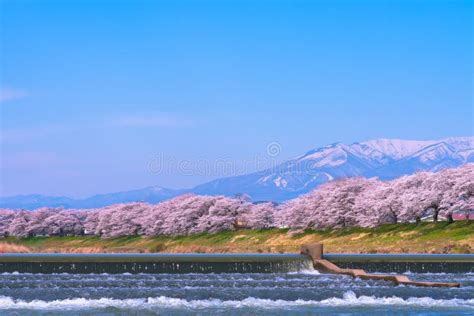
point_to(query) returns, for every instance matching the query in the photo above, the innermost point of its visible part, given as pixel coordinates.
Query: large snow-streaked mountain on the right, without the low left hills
(382, 158)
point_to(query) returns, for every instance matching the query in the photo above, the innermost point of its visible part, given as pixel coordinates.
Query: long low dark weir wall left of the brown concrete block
(153, 263)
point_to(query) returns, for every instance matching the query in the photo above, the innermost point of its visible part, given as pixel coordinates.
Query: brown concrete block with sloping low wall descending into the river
(315, 251)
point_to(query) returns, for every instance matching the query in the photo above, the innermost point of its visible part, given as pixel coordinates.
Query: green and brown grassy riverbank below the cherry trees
(394, 238)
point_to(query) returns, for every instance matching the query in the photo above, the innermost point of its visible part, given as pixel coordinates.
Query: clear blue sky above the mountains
(92, 91)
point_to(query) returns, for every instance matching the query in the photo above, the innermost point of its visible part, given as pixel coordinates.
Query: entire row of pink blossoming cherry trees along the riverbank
(341, 203)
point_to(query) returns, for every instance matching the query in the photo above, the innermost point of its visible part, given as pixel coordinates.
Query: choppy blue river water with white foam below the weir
(300, 292)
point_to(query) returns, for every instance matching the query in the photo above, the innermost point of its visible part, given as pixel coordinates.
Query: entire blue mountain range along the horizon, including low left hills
(382, 158)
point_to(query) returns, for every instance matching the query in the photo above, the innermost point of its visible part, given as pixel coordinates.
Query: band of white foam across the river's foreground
(349, 299)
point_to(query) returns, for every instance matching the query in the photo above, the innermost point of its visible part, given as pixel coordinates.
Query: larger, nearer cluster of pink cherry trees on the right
(369, 202)
